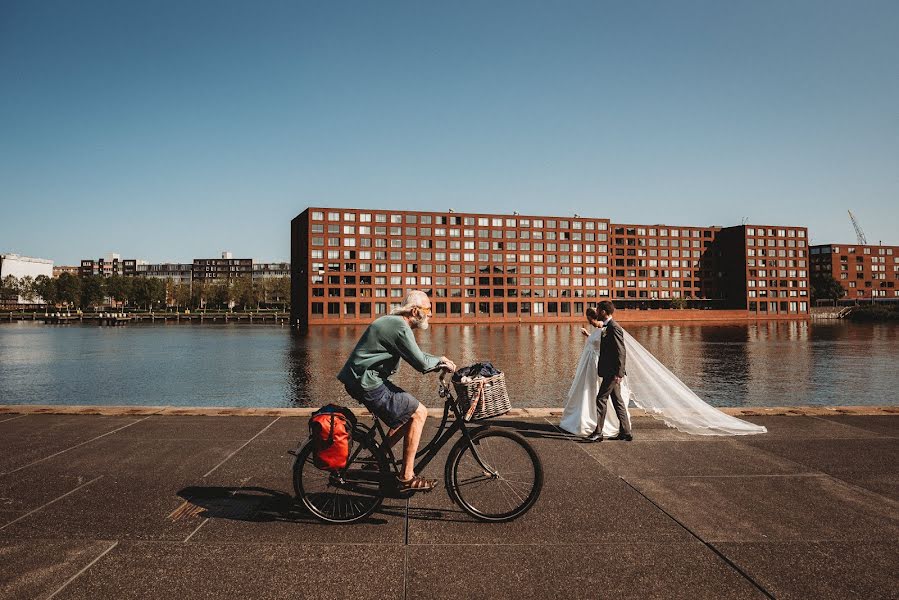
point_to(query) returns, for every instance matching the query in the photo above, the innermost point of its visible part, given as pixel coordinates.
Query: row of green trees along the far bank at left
(95, 291)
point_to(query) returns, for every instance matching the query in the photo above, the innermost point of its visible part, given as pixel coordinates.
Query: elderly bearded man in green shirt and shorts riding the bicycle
(375, 358)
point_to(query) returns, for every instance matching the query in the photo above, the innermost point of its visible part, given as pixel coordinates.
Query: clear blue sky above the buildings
(174, 130)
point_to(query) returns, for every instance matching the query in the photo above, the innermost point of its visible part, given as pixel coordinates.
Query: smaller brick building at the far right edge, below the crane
(865, 272)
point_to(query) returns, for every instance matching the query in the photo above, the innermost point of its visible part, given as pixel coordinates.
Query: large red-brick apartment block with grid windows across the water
(351, 265)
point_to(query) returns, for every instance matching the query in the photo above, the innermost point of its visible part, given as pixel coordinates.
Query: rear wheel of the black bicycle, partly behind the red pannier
(343, 496)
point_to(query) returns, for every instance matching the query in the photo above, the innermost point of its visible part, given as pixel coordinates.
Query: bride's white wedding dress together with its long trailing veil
(652, 387)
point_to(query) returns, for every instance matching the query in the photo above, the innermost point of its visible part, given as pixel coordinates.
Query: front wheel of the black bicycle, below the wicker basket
(501, 486)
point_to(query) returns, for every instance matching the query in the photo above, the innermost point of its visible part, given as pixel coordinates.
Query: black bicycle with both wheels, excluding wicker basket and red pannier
(493, 474)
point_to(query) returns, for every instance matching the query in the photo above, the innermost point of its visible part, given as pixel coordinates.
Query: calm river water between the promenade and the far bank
(771, 364)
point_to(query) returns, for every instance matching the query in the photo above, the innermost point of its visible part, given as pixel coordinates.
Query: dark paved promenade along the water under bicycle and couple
(143, 503)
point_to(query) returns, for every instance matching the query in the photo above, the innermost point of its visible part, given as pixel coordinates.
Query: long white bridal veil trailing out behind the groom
(662, 395)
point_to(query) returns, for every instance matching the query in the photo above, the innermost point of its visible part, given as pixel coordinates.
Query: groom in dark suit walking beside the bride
(611, 369)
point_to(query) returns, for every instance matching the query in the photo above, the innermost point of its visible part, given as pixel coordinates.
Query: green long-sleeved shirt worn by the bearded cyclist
(378, 352)
